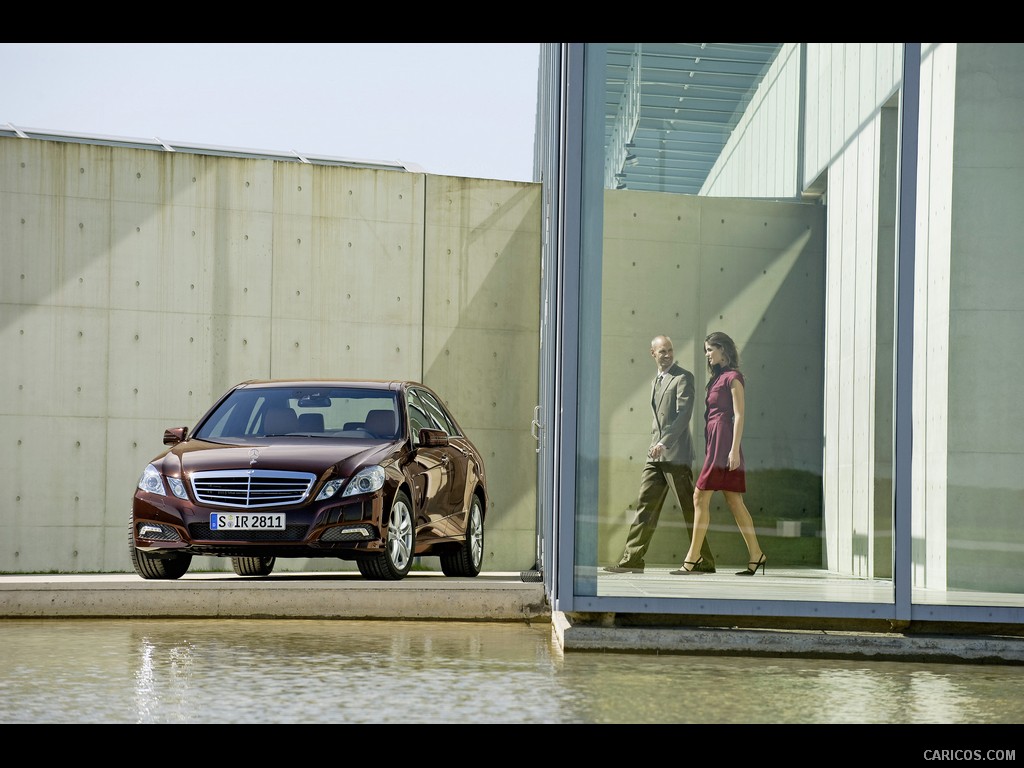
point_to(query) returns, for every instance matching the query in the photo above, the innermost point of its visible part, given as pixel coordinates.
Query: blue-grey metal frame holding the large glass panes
(573, 221)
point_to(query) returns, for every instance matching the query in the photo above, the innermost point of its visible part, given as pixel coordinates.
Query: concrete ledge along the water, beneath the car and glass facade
(426, 595)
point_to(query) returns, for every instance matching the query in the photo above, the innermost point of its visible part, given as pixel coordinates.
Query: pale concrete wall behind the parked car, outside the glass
(139, 285)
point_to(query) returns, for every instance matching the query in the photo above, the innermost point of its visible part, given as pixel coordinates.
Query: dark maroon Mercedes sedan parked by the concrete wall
(378, 473)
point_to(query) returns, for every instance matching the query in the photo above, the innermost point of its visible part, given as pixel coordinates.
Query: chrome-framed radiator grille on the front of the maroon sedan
(252, 488)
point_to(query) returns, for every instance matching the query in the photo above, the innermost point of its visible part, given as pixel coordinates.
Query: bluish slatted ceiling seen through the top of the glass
(671, 108)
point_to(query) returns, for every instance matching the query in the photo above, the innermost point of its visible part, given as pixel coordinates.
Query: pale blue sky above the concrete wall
(453, 109)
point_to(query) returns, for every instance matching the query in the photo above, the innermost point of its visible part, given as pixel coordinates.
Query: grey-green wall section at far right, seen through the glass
(985, 439)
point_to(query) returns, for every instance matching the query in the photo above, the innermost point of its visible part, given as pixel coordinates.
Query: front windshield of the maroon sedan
(314, 412)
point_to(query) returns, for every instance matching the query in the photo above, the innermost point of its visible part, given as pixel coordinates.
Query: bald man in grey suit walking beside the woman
(669, 460)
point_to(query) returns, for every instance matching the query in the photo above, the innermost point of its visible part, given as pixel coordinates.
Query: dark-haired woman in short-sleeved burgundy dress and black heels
(723, 468)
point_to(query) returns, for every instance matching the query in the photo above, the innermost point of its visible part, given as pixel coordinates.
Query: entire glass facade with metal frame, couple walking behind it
(834, 255)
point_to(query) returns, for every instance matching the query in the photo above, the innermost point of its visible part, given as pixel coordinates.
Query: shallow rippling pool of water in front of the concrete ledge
(280, 671)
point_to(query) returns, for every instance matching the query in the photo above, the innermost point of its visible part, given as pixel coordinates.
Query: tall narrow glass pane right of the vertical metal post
(969, 429)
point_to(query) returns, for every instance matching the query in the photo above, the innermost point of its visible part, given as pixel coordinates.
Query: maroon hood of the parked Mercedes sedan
(311, 455)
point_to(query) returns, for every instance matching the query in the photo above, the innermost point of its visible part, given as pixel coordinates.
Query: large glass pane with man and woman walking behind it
(666, 261)
